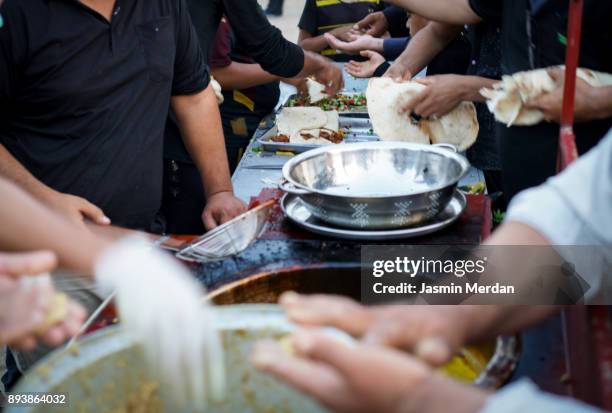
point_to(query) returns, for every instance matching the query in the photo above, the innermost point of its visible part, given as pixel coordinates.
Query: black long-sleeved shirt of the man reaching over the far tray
(262, 42)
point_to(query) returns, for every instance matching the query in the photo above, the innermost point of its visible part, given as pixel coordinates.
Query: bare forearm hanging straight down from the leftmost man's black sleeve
(200, 123)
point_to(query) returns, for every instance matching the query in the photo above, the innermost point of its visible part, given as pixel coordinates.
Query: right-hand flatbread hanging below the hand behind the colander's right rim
(459, 127)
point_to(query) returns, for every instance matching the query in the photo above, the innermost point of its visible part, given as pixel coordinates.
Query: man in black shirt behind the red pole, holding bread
(533, 36)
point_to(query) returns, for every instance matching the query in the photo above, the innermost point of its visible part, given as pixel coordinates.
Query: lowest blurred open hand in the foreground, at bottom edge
(355, 378)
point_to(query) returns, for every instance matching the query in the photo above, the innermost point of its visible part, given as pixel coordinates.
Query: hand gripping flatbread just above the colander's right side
(443, 94)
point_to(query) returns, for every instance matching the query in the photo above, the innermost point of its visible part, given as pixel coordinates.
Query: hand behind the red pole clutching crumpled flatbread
(551, 104)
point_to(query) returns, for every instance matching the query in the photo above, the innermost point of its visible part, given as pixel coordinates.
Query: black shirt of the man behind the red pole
(532, 39)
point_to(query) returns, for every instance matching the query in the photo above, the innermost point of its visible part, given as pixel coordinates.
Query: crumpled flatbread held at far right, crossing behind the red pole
(507, 98)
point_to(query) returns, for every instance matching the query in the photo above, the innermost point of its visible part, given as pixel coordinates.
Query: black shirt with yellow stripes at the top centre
(319, 17)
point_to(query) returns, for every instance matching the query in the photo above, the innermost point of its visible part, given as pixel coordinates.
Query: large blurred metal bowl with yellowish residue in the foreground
(107, 375)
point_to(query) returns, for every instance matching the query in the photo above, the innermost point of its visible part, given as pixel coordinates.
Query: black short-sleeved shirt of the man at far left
(83, 102)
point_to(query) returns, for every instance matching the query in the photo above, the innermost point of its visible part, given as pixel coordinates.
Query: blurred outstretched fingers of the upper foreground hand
(322, 310)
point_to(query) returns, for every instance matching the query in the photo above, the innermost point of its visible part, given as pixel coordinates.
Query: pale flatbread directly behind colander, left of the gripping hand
(385, 97)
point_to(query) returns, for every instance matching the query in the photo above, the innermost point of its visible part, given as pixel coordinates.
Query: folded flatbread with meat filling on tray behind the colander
(308, 125)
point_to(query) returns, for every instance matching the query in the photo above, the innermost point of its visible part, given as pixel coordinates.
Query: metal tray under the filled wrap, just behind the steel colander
(356, 130)
